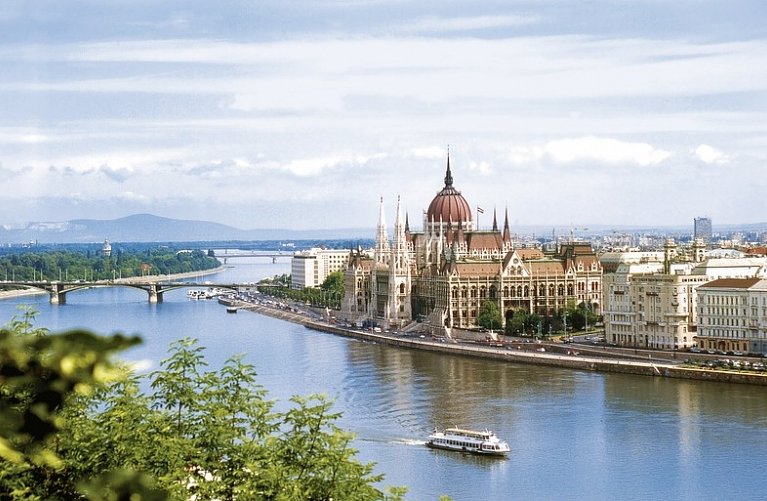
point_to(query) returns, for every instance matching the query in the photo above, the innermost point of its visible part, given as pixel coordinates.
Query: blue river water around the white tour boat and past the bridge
(573, 434)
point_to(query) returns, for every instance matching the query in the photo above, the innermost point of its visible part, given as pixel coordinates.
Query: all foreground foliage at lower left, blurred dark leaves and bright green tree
(75, 426)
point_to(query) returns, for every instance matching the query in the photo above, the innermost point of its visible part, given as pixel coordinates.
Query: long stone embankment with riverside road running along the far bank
(614, 364)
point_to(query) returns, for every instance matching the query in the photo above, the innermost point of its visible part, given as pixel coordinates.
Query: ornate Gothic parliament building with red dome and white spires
(443, 274)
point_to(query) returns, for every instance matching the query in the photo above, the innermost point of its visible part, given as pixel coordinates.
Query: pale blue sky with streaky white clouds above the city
(304, 114)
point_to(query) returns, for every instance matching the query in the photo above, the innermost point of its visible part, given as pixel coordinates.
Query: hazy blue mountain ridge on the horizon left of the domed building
(150, 228)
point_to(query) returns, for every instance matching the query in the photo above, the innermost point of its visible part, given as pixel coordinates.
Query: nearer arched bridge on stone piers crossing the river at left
(155, 290)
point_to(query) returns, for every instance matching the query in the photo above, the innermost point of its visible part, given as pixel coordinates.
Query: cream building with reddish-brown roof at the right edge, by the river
(732, 316)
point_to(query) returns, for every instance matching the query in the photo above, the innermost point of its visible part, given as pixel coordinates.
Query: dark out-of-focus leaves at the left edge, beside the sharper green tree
(38, 374)
